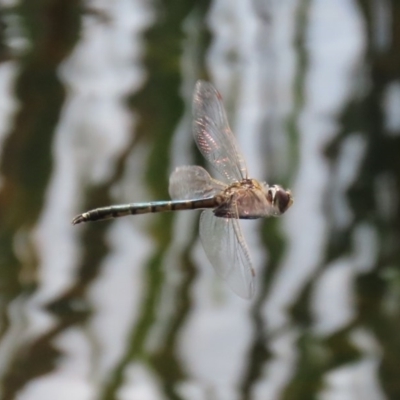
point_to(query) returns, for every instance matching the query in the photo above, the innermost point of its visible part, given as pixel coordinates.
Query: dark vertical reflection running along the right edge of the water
(373, 289)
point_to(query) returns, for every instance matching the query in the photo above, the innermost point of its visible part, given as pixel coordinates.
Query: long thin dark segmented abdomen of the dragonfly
(144, 208)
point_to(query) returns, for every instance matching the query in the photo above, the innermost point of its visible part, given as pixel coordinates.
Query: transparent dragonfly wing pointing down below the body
(227, 251)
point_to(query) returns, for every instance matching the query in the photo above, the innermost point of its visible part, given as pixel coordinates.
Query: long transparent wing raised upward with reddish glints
(213, 136)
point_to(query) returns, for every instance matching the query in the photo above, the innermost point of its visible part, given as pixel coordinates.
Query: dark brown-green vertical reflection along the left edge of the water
(26, 164)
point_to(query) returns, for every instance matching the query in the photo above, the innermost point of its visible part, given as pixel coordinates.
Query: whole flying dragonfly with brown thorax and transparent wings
(224, 202)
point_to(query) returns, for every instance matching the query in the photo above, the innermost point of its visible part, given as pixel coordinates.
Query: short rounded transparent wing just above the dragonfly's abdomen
(193, 182)
